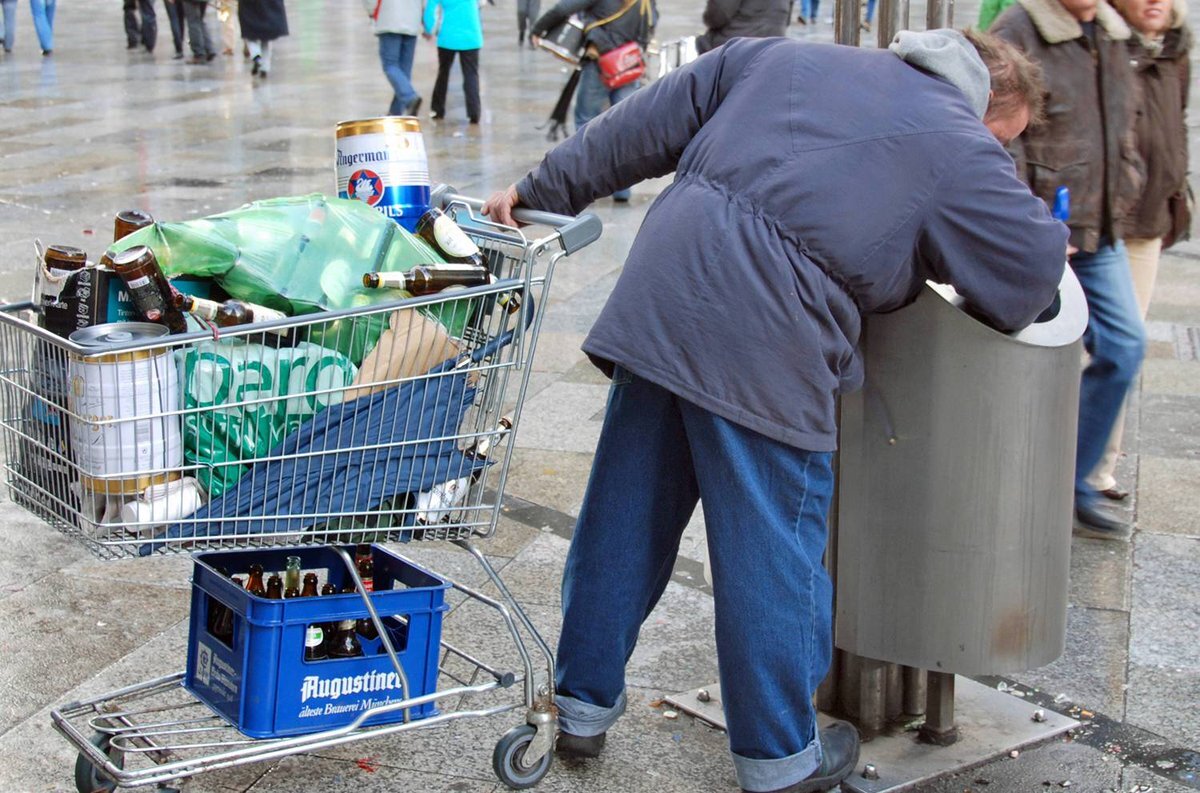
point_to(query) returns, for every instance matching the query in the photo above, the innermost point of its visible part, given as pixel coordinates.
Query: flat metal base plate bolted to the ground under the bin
(991, 724)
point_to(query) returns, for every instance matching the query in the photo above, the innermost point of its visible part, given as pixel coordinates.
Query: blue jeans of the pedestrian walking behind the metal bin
(1117, 341)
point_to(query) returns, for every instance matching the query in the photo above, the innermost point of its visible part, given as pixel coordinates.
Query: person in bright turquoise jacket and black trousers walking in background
(460, 34)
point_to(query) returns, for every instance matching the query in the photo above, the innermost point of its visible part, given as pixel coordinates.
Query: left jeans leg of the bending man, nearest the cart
(639, 500)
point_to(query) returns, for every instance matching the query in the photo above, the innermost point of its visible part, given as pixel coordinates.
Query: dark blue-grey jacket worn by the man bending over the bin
(814, 183)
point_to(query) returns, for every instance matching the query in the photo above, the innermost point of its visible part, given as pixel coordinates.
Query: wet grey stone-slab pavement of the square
(97, 129)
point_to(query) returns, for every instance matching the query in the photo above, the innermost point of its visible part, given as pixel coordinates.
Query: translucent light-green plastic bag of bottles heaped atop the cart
(301, 255)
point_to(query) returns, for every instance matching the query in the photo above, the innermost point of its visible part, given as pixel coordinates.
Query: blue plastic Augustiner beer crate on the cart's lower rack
(260, 680)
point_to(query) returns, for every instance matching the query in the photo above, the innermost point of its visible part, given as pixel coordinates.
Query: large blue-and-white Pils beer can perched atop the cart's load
(382, 163)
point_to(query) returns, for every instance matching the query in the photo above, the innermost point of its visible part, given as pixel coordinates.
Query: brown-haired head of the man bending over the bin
(1018, 91)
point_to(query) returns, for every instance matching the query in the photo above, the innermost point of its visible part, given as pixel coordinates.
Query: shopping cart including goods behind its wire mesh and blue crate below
(410, 446)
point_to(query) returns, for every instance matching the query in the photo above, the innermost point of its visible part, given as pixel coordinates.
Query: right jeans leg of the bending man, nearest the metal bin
(766, 506)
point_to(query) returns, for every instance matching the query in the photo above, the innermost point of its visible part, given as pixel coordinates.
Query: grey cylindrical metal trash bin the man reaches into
(956, 489)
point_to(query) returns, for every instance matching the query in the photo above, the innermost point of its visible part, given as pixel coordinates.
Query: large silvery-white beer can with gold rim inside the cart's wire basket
(125, 435)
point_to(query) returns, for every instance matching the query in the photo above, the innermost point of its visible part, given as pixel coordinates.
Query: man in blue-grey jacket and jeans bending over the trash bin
(814, 183)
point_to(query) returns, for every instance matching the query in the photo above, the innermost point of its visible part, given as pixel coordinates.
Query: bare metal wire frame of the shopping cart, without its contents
(159, 724)
